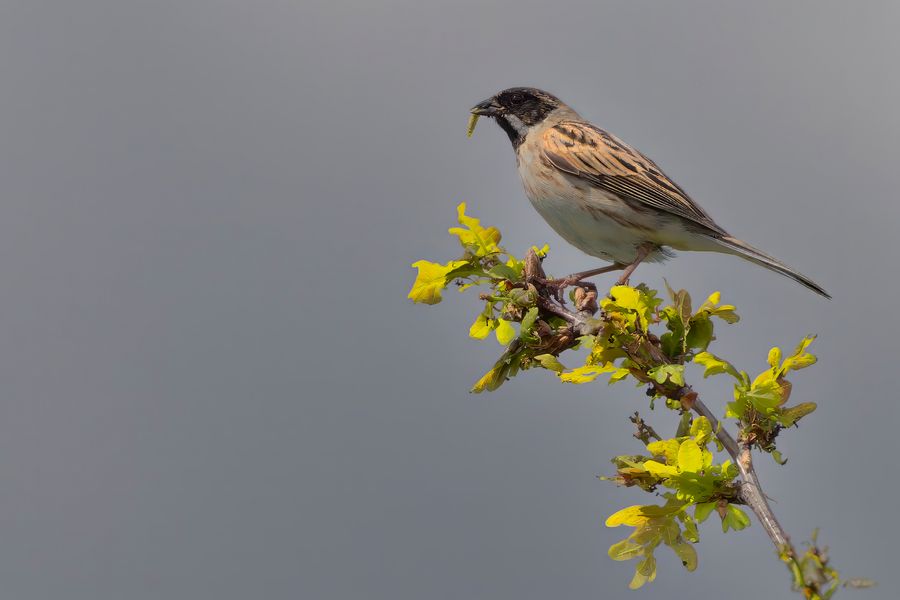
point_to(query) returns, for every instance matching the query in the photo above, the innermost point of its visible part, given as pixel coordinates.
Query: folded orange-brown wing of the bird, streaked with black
(585, 151)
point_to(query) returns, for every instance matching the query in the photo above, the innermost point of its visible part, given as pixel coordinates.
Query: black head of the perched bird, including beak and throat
(517, 110)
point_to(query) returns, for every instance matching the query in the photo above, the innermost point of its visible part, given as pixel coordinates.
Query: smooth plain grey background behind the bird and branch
(214, 387)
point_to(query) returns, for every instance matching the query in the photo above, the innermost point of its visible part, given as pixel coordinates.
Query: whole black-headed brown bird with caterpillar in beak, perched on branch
(603, 196)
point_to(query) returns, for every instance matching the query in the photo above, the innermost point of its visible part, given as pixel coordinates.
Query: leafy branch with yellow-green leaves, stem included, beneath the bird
(550, 326)
